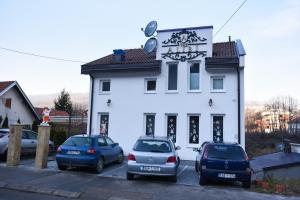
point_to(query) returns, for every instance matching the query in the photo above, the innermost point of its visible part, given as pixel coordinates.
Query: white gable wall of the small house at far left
(18, 109)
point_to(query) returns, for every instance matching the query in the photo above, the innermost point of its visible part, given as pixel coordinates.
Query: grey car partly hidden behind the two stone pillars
(28, 142)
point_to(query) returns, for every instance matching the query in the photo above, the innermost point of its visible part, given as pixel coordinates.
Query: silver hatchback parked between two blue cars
(153, 156)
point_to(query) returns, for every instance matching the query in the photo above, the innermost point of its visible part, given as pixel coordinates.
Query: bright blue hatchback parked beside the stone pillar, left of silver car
(88, 151)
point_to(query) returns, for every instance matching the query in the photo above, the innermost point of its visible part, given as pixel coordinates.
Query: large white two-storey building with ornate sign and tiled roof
(189, 89)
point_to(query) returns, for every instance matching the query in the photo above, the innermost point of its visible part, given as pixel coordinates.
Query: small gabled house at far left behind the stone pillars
(15, 105)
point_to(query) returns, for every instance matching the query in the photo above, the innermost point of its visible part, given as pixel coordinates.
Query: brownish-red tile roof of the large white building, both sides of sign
(134, 56)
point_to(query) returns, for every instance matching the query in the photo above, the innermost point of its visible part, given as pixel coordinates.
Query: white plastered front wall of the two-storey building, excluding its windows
(129, 103)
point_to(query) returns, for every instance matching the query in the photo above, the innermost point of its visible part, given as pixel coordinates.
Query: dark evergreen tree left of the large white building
(63, 102)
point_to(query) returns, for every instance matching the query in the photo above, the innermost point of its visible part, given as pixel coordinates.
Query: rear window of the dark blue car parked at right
(225, 152)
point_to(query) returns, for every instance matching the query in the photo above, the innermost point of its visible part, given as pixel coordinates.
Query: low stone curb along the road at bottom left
(40, 190)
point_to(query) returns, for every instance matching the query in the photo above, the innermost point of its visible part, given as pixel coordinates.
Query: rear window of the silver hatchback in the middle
(158, 146)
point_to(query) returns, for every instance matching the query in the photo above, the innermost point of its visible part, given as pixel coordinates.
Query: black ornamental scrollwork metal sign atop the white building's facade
(184, 46)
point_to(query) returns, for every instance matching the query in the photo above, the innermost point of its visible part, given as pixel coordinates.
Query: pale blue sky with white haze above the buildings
(88, 30)
